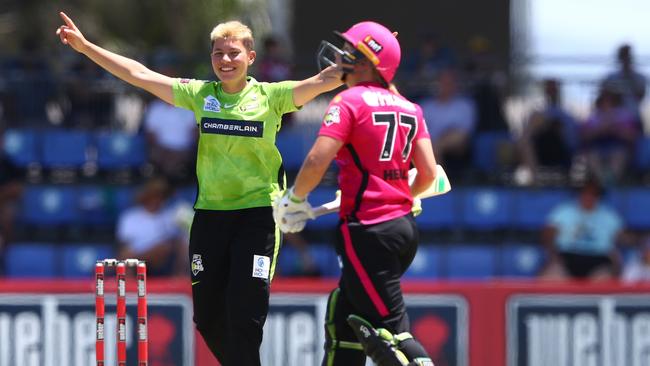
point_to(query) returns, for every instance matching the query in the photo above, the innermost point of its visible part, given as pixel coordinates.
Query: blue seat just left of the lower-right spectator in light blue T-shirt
(532, 207)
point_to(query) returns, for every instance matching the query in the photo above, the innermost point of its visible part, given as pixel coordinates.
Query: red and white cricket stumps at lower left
(120, 273)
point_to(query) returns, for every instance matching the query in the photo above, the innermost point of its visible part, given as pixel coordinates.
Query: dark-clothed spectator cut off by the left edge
(10, 192)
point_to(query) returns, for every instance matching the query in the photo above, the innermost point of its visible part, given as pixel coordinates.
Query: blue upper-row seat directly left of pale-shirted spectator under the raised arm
(120, 150)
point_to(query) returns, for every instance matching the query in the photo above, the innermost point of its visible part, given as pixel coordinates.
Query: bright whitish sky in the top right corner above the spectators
(588, 31)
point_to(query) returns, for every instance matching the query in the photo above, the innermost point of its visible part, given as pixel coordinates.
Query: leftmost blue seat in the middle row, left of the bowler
(49, 205)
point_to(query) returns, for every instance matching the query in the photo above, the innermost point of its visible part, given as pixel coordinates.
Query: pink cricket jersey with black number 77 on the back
(378, 129)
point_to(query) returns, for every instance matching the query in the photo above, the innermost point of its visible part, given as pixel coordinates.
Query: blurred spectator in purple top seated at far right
(608, 138)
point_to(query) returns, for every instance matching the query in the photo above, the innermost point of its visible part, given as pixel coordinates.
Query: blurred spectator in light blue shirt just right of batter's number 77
(451, 120)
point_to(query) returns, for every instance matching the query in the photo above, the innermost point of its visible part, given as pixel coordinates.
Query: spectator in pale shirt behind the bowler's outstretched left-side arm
(171, 132)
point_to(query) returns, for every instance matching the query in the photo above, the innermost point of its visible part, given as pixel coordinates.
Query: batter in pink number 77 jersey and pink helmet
(374, 134)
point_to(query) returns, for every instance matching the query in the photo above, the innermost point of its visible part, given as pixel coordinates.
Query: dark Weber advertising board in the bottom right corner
(568, 330)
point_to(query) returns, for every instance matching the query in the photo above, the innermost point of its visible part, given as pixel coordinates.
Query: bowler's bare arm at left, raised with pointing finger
(122, 67)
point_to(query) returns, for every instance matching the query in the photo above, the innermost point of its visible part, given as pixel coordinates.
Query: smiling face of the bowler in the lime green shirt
(230, 61)
